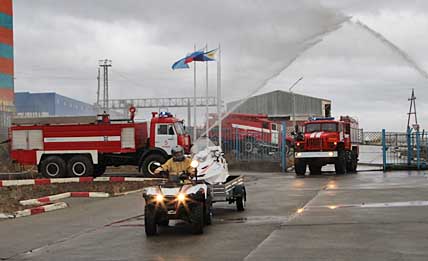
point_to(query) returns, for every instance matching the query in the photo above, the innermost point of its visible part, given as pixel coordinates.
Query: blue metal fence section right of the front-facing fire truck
(405, 150)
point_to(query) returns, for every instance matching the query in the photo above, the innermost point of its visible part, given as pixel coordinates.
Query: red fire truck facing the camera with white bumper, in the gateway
(327, 141)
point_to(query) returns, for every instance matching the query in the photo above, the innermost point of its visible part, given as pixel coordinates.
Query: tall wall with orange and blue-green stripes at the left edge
(6, 66)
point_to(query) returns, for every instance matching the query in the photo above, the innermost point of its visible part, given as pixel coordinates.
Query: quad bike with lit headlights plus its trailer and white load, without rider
(191, 199)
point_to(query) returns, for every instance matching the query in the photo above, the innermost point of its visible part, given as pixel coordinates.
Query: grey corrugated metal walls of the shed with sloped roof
(280, 103)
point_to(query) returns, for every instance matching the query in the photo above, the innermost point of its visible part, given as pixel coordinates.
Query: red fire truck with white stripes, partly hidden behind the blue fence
(253, 131)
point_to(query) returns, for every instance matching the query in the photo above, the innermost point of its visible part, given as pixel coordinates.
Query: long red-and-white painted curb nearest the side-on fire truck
(22, 182)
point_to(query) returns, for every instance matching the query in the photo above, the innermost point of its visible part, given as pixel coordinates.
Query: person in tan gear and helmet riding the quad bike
(178, 165)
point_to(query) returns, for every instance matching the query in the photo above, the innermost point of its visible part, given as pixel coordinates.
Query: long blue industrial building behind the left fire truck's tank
(50, 104)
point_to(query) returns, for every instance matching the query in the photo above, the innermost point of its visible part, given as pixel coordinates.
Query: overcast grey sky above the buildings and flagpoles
(58, 45)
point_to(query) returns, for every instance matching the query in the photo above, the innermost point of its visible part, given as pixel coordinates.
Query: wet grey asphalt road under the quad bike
(338, 221)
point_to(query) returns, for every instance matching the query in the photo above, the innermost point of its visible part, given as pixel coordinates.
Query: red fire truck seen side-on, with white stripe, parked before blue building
(85, 146)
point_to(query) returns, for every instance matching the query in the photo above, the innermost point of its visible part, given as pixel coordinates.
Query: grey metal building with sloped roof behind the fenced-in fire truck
(279, 104)
